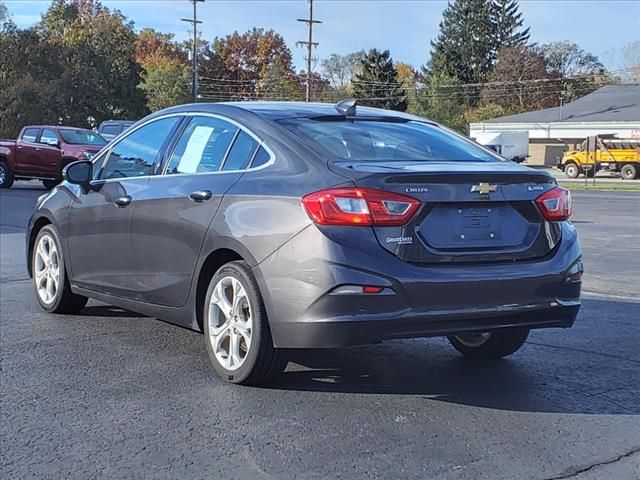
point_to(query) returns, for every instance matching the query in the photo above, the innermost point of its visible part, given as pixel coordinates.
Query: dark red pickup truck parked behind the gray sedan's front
(42, 151)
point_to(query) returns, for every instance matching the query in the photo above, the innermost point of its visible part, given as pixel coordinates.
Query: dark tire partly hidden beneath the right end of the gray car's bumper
(490, 345)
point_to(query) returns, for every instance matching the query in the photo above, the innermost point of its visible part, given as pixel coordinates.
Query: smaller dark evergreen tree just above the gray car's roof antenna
(376, 84)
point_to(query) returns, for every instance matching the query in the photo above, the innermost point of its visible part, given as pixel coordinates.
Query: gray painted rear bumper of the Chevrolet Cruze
(308, 308)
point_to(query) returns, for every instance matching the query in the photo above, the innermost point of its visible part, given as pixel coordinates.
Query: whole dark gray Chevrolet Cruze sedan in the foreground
(271, 226)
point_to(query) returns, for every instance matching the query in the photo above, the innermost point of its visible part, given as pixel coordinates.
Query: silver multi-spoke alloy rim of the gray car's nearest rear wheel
(230, 323)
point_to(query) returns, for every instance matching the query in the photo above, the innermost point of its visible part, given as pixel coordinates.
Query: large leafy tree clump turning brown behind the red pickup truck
(75, 67)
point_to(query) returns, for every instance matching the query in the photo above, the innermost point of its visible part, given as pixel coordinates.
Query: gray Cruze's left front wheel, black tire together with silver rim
(47, 266)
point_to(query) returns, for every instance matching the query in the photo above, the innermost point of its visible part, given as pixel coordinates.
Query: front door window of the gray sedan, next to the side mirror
(136, 154)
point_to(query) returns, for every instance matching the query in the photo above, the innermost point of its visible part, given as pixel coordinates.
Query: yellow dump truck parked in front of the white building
(614, 154)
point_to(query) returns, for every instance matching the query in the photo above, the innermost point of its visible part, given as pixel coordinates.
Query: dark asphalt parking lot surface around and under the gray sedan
(110, 394)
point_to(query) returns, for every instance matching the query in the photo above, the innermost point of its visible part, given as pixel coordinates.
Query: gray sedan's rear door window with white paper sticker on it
(202, 147)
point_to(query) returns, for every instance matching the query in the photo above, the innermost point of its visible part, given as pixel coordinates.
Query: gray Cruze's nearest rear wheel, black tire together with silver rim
(244, 327)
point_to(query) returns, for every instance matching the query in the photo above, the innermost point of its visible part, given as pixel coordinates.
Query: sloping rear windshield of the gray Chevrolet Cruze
(385, 141)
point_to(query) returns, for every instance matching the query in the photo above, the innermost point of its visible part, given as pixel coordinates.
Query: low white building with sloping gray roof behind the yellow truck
(614, 109)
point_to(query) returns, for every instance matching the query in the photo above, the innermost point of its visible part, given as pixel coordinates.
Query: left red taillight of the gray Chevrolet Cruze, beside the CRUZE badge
(359, 206)
